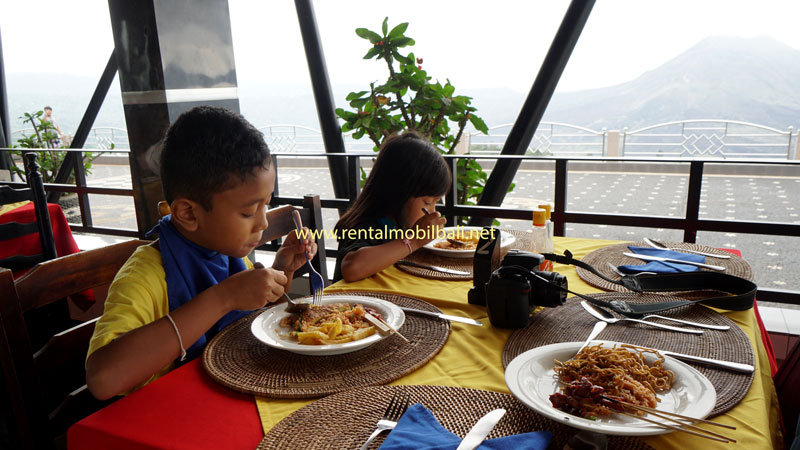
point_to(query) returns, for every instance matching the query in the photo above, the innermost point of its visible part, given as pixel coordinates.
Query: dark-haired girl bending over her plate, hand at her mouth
(408, 178)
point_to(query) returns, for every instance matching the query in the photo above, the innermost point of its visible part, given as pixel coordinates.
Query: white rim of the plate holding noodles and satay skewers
(552, 413)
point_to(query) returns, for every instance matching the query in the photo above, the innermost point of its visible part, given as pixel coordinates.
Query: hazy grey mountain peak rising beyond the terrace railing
(747, 79)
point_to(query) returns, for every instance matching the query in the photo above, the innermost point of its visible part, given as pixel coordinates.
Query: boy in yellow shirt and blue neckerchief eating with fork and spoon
(173, 296)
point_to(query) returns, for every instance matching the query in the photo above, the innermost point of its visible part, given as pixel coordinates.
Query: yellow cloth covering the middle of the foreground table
(472, 355)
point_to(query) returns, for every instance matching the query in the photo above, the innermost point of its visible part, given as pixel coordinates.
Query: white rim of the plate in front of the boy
(257, 330)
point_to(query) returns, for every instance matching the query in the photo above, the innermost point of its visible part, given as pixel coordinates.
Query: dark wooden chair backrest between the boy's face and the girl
(280, 224)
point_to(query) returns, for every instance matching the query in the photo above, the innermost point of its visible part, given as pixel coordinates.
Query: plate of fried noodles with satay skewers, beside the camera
(586, 391)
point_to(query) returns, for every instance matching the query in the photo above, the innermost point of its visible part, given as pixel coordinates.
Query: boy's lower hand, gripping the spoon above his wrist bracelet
(252, 289)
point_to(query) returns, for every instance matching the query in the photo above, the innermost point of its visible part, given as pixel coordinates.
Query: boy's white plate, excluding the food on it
(266, 327)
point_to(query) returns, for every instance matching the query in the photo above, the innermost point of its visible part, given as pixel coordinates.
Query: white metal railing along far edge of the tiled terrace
(704, 138)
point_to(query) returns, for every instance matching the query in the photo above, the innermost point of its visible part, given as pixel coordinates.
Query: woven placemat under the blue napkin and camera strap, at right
(614, 254)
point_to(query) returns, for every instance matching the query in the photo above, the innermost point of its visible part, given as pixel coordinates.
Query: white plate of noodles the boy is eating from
(336, 326)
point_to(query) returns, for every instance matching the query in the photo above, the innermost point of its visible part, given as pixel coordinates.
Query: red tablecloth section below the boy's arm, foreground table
(185, 409)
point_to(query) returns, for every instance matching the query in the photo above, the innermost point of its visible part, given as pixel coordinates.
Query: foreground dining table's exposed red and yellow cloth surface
(188, 409)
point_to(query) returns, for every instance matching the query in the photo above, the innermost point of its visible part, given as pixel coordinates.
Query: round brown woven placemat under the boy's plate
(236, 359)
